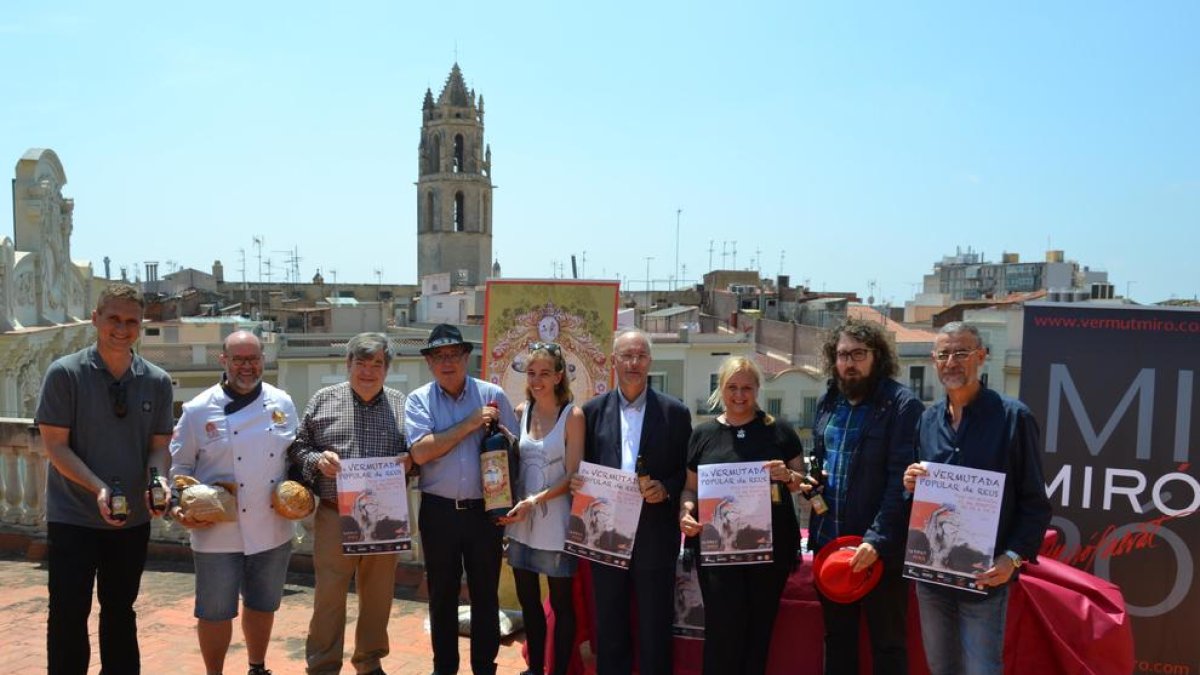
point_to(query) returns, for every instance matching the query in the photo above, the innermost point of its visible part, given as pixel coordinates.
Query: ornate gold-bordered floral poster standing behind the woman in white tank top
(579, 316)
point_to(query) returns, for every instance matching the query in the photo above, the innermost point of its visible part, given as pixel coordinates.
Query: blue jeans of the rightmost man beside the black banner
(963, 634)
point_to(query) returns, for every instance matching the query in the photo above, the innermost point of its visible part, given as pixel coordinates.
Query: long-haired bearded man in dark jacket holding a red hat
(865, 439)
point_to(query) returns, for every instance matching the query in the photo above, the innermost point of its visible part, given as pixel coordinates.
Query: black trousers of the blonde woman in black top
(741, 604)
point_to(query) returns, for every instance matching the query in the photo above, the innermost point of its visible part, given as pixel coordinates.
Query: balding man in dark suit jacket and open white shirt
(629, 422)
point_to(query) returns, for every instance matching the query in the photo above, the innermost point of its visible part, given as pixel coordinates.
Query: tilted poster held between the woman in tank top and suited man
(604, 516)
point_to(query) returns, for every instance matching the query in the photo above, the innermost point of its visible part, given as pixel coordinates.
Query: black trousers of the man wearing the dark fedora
(455, 541)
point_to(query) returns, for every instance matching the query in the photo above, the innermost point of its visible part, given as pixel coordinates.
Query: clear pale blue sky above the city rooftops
(839, 144)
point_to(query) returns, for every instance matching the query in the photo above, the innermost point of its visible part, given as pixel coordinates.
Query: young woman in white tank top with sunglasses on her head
(551, 449)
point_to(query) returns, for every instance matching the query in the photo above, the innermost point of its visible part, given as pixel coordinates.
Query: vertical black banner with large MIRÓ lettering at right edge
(1115, 391)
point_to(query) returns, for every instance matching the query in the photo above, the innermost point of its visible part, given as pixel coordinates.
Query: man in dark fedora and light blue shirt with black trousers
(446, 422)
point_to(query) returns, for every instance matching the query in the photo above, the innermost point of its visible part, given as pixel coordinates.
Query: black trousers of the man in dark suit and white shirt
(655, 592)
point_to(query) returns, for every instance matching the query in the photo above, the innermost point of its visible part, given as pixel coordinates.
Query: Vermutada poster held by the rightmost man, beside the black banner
(952, 531)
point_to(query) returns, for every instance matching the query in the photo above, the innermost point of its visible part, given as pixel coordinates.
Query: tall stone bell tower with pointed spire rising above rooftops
(454, 189)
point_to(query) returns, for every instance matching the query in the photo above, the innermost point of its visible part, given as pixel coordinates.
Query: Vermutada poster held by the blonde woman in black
(735, 513)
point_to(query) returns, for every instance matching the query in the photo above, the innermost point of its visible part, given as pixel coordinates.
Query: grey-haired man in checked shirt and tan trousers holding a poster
(361, 419)
